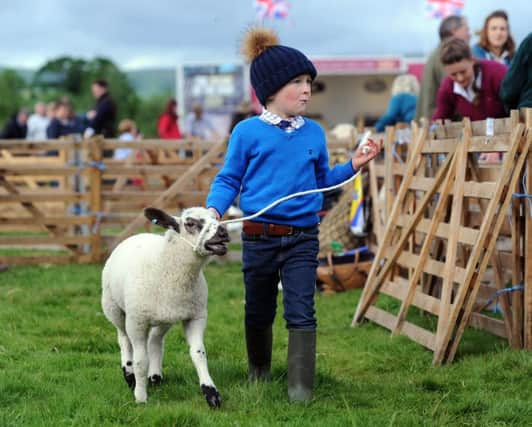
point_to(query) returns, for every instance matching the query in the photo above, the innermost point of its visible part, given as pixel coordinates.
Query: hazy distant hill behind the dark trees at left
(147, 83)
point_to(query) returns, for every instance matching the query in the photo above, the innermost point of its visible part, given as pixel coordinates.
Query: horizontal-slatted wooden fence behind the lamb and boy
(38, 192)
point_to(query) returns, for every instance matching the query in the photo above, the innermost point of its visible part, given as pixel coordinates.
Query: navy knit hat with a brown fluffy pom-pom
(272, 65)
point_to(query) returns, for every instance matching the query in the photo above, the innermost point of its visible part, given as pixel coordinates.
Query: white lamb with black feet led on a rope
(150, 282)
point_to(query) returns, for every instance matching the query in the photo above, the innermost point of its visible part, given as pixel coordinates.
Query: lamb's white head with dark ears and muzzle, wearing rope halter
(198, 226)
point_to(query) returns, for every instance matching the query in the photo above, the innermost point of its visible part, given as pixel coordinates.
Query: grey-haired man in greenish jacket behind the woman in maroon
(433, 73)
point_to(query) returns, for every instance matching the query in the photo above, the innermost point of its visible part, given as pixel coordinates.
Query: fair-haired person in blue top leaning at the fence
(402, 105)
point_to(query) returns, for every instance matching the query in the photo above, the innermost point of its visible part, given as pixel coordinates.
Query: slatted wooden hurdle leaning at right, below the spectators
(468, 250)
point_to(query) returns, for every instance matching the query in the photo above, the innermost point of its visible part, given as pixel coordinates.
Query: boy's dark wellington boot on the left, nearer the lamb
(259, 347)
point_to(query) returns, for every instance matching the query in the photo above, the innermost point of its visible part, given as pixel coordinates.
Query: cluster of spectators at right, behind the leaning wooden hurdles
(483, 81)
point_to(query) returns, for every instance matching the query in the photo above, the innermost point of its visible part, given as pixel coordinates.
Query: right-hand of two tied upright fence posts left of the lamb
(95, 182)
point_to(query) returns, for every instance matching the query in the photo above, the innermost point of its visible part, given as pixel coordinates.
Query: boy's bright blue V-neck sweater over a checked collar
(264, 163)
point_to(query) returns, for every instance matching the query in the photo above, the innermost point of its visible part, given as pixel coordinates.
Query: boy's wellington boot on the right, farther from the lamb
(301, 364)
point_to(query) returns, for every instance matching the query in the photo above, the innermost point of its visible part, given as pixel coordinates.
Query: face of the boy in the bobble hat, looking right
(292, 99)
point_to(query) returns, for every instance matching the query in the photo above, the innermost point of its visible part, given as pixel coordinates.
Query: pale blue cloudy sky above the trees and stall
(164, 33)
